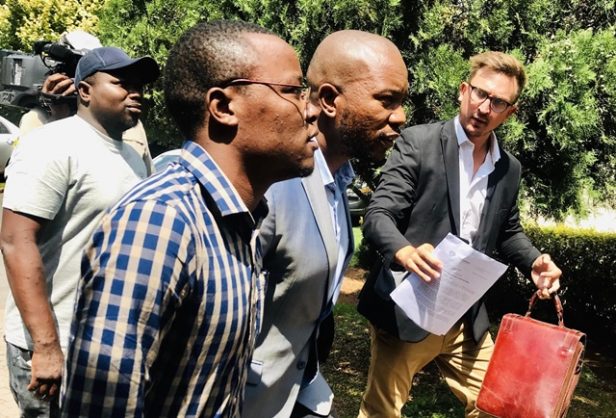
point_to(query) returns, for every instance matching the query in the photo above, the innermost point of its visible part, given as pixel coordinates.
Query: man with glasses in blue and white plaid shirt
(169, 304)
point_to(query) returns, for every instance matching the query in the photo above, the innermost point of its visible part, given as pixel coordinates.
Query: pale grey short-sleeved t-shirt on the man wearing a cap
(69, 173)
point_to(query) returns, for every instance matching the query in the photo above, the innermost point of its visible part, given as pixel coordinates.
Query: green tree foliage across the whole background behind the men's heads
(564, 132)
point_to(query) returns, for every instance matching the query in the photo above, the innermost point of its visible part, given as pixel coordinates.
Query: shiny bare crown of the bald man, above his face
(346, 55)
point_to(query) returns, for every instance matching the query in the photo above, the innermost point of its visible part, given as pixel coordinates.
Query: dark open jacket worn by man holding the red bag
(418, 201)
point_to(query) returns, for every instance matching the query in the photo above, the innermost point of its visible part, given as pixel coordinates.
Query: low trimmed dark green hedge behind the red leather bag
(588, 289)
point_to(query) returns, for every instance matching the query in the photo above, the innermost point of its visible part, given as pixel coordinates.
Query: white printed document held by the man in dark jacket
(436, 306)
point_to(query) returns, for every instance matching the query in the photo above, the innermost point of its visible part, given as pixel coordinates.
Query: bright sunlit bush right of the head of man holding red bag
(570, 147)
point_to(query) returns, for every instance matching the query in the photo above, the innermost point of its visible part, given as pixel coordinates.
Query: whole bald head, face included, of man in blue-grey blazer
(359, 81)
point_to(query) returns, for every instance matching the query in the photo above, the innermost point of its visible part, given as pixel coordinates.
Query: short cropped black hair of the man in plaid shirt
(206, 56)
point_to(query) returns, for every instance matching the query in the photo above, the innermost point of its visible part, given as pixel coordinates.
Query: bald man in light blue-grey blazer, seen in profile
(358, 80)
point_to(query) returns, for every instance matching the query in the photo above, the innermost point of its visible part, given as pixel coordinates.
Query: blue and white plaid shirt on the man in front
(169, 304)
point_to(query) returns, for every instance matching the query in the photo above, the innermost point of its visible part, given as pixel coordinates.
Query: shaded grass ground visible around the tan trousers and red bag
(347, 367)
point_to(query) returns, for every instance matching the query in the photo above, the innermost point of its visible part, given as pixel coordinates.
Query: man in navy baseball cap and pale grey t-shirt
(61, 179)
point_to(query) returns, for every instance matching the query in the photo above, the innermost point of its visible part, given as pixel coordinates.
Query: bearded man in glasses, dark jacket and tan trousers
(446, 177)
